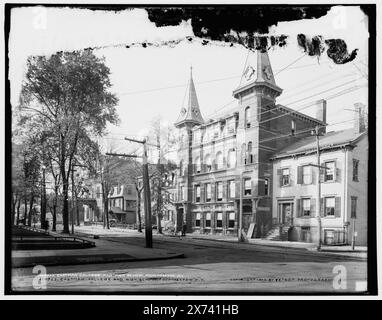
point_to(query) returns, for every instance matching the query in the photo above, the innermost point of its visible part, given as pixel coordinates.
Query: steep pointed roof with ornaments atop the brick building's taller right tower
(258, 74)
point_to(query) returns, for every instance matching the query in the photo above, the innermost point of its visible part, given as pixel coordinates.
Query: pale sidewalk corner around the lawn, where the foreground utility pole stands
(104, 252)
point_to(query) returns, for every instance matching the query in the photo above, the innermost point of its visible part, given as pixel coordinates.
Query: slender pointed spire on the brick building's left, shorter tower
(191, 114)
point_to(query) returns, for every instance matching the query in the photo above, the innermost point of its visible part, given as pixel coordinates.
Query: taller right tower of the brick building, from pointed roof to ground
(257, 95)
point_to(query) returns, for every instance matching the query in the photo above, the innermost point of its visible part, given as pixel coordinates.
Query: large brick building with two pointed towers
(220, 157)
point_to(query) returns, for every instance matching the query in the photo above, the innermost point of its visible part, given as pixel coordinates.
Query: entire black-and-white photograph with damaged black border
(175, 149)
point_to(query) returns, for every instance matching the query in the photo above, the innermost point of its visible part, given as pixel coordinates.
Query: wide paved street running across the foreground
(207, 266)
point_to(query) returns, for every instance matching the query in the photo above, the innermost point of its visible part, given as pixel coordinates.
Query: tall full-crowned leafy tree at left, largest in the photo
(68, 95)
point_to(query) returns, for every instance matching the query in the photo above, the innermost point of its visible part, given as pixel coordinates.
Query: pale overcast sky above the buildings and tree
(152, 81)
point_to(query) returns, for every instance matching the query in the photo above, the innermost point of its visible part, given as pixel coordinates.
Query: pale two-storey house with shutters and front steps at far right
(343, 173)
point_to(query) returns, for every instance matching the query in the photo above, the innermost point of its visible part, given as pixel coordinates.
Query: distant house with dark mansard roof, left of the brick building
(122, 203)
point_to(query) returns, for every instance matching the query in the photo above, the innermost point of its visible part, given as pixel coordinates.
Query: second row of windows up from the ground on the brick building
(219, 190)
